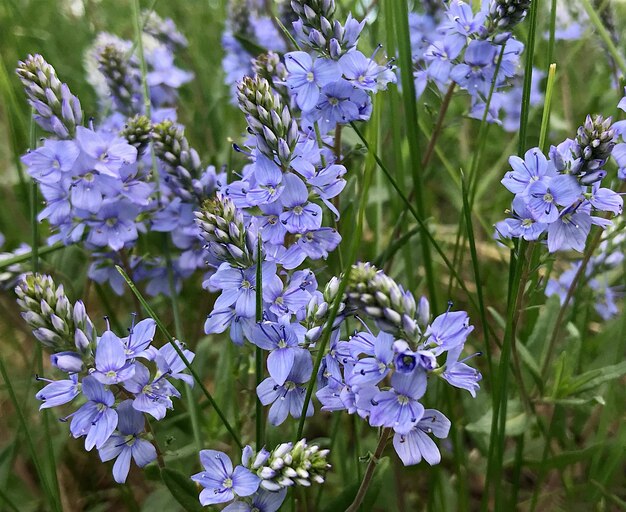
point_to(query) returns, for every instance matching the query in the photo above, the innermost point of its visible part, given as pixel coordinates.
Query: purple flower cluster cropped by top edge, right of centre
(452, 45)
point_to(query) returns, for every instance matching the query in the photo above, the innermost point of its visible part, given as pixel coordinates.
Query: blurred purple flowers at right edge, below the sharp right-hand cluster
(599, 274)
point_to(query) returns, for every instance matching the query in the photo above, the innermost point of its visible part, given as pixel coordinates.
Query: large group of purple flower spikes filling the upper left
(100, 184)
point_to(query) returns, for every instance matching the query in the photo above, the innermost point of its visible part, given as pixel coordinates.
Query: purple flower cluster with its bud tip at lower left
(115, 380)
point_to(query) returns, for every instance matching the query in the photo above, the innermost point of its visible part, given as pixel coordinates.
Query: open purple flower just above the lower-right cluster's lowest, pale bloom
(399, 407)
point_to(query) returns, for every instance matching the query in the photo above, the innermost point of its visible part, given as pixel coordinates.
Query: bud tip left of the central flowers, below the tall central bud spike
(222, 226)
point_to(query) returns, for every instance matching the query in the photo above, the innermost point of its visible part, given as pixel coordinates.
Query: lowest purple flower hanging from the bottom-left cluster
(126, 444)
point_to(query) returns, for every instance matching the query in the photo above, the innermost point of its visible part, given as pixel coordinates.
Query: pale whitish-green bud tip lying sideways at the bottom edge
(289, 464)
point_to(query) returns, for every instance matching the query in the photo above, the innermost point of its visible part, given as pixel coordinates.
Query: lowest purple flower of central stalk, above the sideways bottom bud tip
(287, 398)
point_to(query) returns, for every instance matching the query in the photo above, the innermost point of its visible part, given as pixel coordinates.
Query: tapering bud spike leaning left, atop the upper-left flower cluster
(57, 110)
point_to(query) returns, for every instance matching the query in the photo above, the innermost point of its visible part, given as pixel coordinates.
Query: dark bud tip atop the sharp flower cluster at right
(596, 140)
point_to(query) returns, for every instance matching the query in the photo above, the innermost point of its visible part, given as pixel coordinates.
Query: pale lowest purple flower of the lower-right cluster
(417, 444)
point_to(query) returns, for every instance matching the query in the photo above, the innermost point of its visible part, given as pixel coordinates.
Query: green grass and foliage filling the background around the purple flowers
(553, 376)
